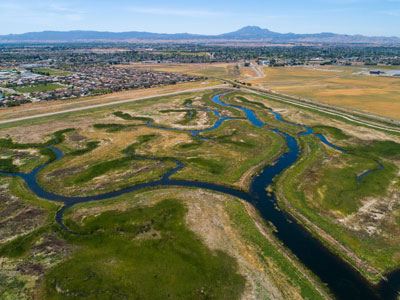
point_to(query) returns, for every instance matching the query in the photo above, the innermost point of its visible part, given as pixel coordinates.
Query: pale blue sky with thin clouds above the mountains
(367, 17)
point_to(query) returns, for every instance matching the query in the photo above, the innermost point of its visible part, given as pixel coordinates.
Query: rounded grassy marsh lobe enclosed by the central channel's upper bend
(229, 153)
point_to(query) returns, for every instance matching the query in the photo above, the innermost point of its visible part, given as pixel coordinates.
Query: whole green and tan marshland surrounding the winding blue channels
(129, 141)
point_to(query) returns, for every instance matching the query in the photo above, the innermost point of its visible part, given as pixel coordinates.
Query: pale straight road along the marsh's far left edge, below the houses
(107, 104)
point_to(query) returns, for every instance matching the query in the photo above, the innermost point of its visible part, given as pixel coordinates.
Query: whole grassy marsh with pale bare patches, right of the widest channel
(355, 213)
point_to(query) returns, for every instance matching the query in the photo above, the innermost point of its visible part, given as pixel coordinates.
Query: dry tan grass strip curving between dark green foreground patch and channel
(229, 229)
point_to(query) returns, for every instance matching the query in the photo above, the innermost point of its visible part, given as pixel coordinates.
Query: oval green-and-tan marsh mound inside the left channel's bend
(79, 174)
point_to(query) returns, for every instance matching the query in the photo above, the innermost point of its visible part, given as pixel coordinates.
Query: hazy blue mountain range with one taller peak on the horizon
(249, 33)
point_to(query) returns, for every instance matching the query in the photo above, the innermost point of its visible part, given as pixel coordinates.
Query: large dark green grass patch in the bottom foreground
(125, 255)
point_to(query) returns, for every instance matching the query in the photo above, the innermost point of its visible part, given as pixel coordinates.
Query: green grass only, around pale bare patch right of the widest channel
(313, 190)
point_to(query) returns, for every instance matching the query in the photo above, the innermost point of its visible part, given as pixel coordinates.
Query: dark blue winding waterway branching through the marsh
(342, 279)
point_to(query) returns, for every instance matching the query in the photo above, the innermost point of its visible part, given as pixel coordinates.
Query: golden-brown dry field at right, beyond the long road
(377, 95)
